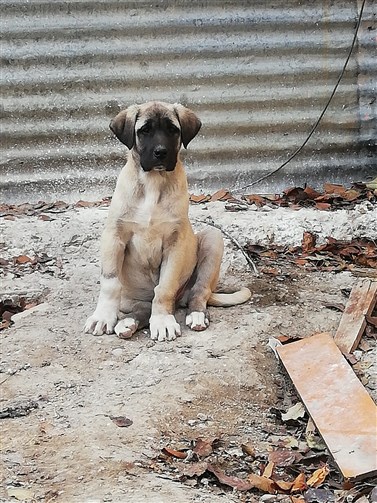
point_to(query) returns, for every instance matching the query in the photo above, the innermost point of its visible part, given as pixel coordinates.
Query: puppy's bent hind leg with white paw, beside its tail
(210, 252)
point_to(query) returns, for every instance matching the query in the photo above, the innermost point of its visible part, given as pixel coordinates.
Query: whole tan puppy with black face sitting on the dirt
(151, 258)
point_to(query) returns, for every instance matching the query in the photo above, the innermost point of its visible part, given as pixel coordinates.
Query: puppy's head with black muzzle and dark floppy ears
(155, 131)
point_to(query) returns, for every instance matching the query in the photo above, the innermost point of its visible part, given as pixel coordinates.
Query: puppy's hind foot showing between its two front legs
(134, 315)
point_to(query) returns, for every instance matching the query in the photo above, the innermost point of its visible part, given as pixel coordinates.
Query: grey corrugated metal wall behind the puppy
(258, 73)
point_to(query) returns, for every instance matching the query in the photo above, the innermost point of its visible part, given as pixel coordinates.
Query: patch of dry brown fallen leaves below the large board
(206, 457)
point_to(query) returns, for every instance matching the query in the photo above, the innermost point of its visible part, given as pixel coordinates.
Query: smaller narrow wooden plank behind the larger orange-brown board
(352, 325)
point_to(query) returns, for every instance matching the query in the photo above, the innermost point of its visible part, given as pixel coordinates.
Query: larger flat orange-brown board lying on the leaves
(343, 412)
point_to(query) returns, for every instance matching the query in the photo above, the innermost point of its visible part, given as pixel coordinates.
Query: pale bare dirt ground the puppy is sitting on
(223, 382)
